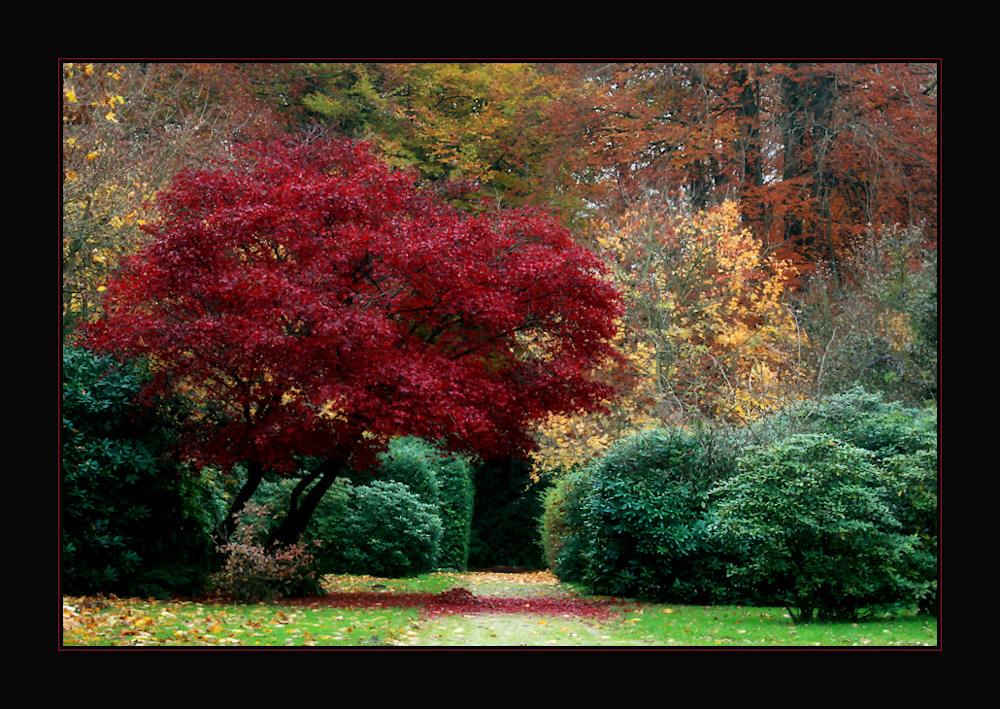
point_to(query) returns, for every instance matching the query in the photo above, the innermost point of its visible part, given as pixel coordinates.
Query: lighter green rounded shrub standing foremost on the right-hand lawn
(816, 517)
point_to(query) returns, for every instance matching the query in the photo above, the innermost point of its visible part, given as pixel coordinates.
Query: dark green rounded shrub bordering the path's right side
(647, 520)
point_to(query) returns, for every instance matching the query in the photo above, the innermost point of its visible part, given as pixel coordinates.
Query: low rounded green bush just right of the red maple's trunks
(388, 531)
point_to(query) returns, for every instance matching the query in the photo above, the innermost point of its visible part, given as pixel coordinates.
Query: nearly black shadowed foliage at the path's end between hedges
(508, 505)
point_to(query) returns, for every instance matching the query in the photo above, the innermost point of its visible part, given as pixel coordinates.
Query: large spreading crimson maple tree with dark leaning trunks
(313, 303)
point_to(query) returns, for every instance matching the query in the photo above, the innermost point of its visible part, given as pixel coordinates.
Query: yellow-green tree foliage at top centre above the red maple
(489, 123)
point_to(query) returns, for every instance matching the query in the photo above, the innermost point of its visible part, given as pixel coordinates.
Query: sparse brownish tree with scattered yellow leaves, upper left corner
(125, 129)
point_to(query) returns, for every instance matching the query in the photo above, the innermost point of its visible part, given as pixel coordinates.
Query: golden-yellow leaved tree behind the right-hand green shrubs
(706, 330)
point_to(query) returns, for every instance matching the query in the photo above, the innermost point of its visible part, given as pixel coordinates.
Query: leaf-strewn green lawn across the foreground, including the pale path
(90, 622)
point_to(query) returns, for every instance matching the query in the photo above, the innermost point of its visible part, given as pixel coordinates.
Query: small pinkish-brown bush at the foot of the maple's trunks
(253, 572)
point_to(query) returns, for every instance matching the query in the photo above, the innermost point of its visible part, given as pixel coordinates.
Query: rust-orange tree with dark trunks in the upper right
(813, 152)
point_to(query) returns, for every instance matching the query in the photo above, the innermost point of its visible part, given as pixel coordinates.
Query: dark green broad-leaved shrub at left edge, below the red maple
(128, 518)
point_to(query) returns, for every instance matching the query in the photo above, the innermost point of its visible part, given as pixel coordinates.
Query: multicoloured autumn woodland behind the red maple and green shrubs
(772, 226)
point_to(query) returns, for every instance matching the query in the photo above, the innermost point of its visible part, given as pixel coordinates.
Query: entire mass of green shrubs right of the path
(832, 512)
